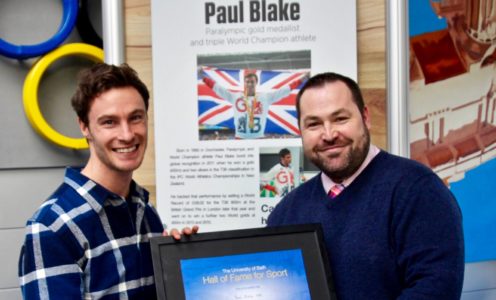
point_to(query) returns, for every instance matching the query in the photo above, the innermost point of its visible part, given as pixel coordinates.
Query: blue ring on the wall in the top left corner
(70, 11)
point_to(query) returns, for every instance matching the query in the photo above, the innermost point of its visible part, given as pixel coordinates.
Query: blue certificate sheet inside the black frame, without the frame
(266, 275)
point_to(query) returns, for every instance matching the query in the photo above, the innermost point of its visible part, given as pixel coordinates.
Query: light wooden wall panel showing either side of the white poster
(371, 68)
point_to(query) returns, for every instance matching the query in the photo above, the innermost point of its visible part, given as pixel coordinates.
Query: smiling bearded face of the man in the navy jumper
(335, 134)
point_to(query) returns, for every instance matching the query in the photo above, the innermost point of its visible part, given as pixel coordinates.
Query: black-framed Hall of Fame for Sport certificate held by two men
(288, 262)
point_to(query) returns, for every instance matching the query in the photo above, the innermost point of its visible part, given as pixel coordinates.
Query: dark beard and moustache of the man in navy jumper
(345, 164)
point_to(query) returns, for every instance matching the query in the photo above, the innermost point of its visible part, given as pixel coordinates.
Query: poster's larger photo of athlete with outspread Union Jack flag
(250, 96)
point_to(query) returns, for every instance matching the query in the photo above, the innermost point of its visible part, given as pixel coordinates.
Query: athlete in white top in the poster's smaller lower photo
(280, 178)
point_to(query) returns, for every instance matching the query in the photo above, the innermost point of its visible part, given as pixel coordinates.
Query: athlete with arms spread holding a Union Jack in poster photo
(251, 108)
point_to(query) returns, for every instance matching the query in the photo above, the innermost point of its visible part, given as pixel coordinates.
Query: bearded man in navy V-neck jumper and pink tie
(391, 227)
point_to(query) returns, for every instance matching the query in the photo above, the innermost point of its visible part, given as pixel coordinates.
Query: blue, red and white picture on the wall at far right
(452, 105)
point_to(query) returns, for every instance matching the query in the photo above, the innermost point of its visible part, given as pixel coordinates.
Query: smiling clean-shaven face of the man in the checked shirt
(117, 130)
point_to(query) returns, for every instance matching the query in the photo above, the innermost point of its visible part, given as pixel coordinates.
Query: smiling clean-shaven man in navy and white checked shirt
(90, 239)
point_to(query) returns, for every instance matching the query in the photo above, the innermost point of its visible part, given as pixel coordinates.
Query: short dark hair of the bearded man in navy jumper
(322, 79)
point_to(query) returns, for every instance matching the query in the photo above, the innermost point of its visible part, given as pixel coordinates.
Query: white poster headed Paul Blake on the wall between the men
(225, 76)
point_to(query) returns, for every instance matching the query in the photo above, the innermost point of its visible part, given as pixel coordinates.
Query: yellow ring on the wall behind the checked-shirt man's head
(30, 92)
